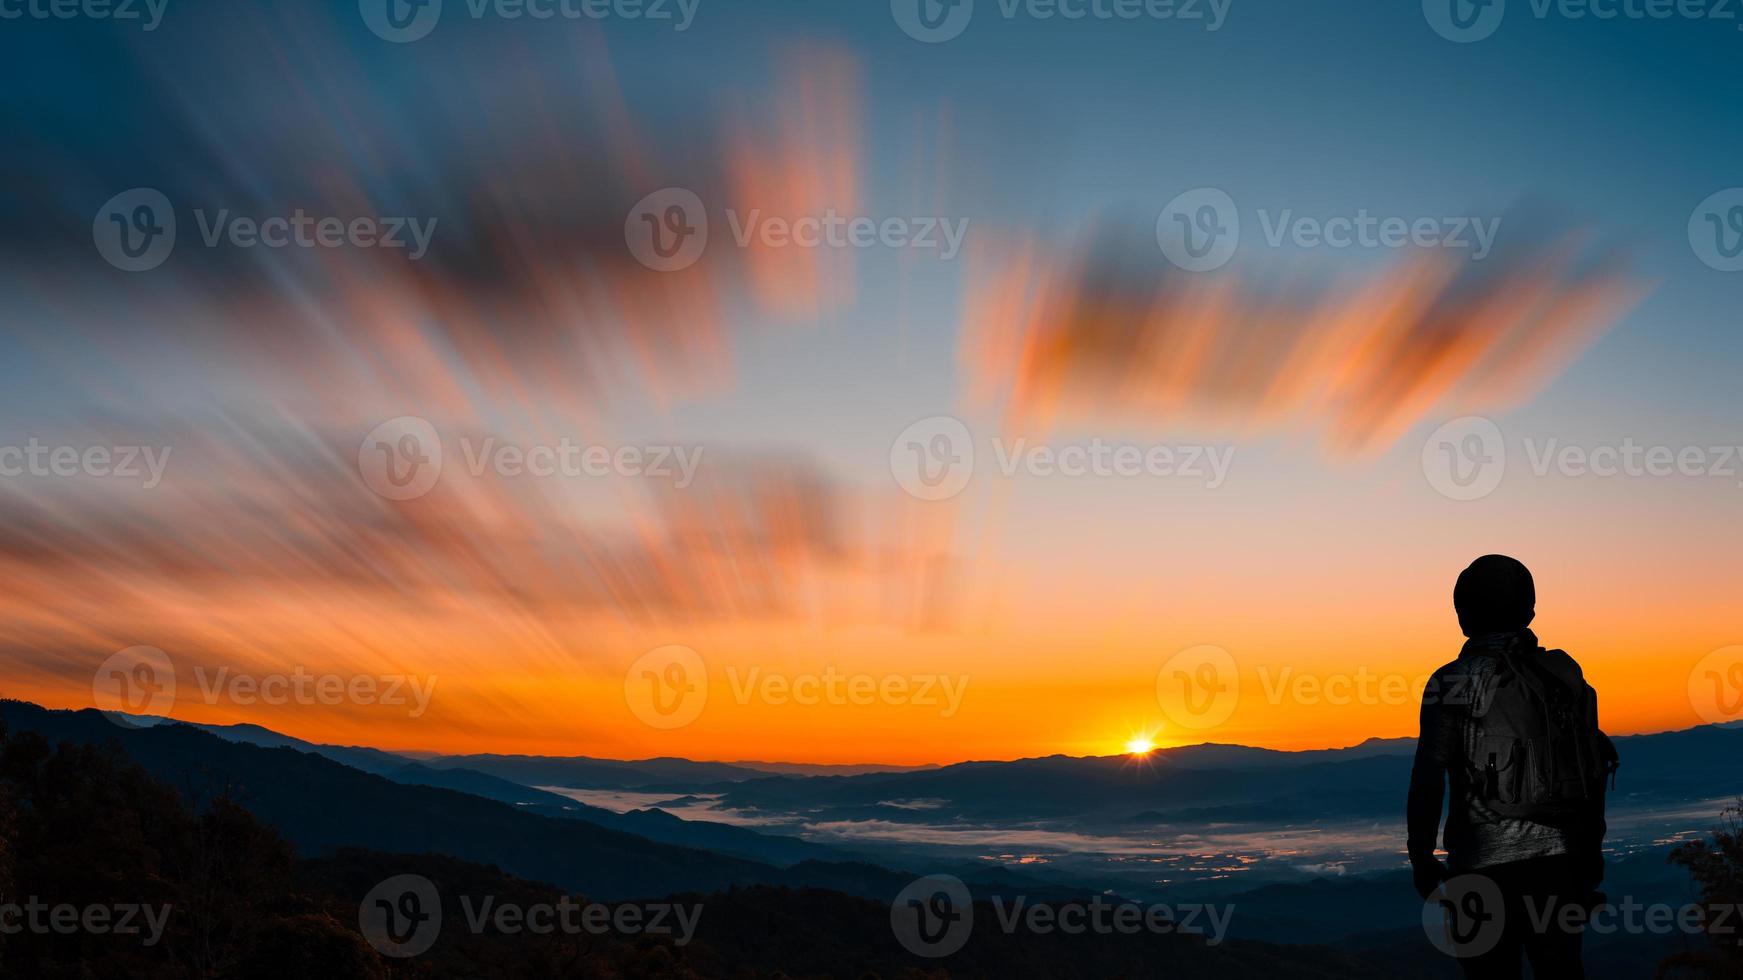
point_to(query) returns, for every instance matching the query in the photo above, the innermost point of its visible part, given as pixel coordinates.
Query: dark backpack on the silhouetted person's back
(1538, 749)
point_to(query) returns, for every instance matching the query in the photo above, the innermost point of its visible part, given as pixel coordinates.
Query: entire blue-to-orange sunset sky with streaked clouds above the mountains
(778, 547)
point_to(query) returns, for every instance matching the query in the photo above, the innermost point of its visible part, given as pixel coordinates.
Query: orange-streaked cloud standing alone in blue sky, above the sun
(1106, 332)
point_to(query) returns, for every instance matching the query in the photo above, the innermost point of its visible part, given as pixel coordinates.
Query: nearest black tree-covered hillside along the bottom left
(83, 826)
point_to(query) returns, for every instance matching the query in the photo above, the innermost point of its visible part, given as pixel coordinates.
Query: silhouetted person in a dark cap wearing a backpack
(1514, 730)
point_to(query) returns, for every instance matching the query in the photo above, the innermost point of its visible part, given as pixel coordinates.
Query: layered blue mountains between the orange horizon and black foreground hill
(491, 810)
